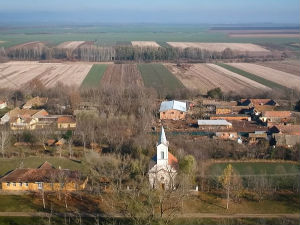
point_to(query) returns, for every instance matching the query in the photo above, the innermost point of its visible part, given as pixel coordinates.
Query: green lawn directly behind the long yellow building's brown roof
(7, 165)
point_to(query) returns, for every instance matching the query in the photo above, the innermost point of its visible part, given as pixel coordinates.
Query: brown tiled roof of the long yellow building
(45, 173)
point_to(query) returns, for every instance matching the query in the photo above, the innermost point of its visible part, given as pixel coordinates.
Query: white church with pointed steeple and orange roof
(163, 165)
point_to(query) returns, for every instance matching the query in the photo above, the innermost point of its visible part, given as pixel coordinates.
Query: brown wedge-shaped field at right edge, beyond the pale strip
(288, 66)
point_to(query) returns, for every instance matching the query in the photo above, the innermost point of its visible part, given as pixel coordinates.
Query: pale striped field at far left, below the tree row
(18, 74)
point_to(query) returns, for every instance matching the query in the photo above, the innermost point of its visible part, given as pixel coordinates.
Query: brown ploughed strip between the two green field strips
(121, 76)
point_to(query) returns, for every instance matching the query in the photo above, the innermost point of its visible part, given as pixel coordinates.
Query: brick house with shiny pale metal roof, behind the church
(173, 110)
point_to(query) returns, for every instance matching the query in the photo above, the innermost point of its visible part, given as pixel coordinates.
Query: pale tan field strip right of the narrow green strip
(276, 76)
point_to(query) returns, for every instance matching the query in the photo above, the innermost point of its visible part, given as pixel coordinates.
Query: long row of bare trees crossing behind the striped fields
(91, 52)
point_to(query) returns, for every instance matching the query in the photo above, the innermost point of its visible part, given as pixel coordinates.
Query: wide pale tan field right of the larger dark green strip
(204, 77)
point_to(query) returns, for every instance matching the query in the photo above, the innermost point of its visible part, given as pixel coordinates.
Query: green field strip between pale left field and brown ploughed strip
(94, 76)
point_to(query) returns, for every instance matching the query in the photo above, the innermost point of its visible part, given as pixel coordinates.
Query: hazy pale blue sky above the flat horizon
(151, 11)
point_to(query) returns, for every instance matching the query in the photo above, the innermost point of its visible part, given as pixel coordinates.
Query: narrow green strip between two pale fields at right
(254, 77)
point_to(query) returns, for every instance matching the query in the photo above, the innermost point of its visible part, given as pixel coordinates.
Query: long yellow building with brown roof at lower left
(43, 178)
